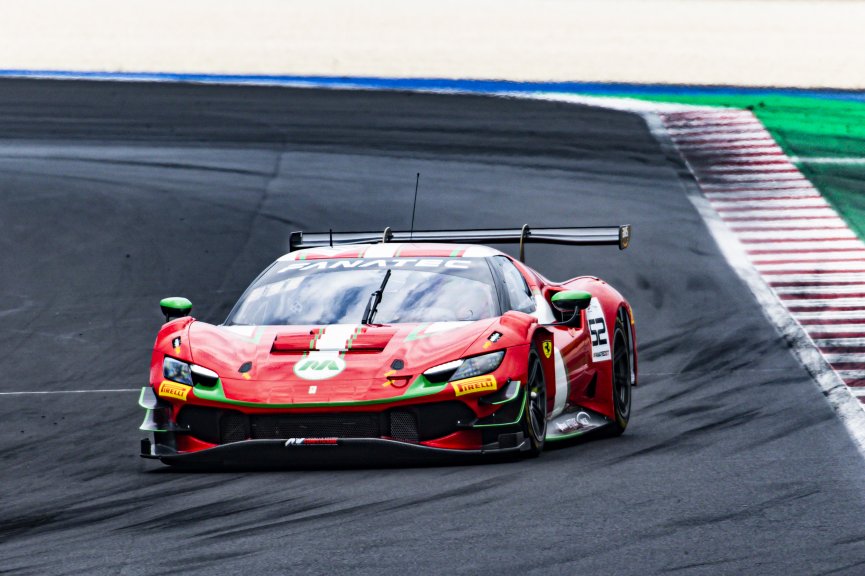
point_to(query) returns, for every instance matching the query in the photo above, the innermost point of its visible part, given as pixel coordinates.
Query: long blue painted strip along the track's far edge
(438, 84)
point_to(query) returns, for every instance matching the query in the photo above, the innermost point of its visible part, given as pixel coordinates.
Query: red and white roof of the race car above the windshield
(393, 250)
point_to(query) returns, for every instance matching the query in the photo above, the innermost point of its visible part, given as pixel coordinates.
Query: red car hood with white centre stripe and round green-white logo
(297, 364)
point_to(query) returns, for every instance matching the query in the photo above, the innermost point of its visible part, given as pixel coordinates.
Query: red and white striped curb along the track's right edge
(798, 257)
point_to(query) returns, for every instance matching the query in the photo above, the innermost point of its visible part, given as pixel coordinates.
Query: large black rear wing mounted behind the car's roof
(595, 236)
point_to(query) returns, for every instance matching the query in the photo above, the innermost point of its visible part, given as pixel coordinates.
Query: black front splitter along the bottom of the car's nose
(327, 452)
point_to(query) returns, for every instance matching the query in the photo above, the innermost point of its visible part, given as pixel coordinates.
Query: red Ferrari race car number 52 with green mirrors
(395, 344)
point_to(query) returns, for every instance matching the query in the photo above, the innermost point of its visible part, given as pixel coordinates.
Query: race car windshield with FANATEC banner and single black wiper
(337, 291)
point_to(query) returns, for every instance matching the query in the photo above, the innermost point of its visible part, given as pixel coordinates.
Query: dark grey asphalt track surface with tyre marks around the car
(114, 195)
